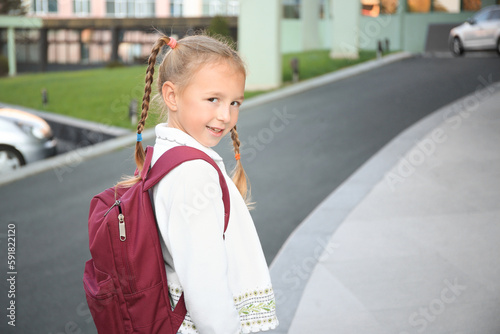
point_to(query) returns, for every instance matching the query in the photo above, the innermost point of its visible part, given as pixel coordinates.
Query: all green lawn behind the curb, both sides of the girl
(103, 95)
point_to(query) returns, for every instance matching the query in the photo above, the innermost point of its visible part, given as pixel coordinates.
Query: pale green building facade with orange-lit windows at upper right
(404, 23)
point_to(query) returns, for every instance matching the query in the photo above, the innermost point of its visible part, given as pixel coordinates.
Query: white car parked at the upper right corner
(480, 33)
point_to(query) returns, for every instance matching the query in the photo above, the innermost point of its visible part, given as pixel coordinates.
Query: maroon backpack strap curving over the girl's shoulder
(168, 161)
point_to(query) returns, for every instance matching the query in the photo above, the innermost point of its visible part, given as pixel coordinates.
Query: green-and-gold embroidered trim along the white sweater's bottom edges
(257, 310)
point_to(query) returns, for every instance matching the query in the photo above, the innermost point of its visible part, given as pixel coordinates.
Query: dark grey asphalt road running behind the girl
(298, 150)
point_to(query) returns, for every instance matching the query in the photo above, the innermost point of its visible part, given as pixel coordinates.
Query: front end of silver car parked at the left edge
(24, 138)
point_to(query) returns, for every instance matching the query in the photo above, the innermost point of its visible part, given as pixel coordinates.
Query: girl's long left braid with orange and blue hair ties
(139, 149)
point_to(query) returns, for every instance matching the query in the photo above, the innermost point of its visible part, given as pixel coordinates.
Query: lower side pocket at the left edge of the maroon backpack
(102, 299)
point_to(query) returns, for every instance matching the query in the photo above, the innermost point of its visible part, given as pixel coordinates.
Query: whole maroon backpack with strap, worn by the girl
(125, 281)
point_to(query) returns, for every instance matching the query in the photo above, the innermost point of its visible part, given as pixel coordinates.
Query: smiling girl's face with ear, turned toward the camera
(207, 109)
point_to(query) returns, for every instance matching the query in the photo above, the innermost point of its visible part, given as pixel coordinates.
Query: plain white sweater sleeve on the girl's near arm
(191, 197)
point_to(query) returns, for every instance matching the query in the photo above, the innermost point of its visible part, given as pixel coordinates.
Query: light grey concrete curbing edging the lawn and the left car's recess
(126, 138)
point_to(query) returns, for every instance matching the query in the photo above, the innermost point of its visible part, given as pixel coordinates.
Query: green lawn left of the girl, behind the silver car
(100, 95)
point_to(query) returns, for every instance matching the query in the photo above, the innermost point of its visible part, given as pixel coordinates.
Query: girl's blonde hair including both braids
(179, 66)
